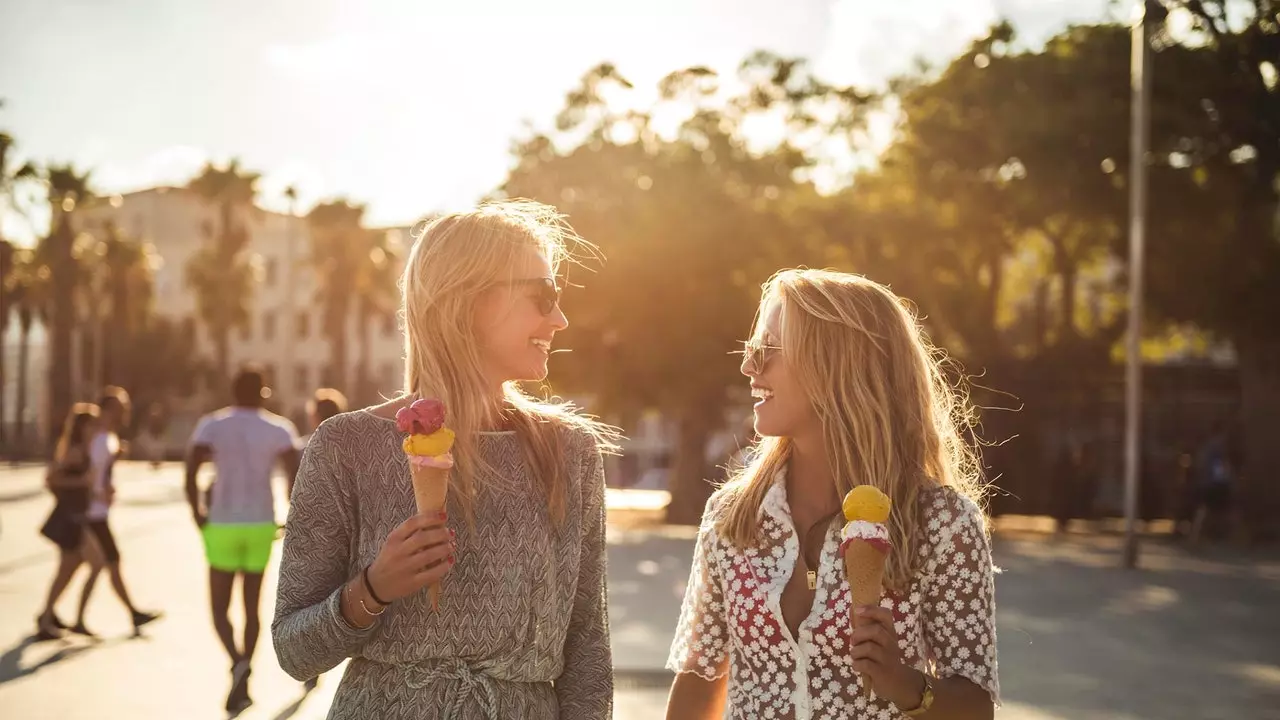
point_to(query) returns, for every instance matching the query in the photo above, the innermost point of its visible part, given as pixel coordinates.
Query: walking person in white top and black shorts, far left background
(106, 450)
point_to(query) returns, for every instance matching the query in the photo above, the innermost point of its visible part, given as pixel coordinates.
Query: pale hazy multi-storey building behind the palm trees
(285, 332)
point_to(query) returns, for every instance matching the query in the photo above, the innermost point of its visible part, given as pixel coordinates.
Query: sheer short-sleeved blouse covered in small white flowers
(732, 621)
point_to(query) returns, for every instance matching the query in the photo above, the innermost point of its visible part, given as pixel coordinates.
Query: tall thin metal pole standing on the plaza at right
(1140, 78)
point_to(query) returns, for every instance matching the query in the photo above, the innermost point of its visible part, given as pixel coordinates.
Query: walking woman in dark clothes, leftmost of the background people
(68, 481)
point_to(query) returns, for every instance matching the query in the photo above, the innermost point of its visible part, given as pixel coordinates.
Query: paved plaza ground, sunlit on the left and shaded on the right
(1190, 636)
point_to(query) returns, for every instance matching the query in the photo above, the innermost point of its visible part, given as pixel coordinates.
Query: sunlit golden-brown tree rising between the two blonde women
(691, 224)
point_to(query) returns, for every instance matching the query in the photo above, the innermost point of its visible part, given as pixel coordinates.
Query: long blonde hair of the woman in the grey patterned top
(455, 259)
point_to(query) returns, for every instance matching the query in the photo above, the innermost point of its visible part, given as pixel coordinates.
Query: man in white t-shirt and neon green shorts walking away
(237, 517)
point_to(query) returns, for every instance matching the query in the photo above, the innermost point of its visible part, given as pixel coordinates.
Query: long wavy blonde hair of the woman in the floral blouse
(889, 416)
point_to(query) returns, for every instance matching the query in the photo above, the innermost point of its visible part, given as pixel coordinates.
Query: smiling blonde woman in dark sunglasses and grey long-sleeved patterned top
(523, 628)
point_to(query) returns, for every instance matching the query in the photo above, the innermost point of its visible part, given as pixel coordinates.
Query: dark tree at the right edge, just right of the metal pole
(1222, 266)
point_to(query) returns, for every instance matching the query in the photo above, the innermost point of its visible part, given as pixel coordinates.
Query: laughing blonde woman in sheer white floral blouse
(851, 394)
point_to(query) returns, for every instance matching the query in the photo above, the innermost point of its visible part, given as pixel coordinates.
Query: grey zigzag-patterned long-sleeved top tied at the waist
(523, 628)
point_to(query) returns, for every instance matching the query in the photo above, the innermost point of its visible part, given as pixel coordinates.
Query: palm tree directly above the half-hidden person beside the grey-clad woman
(340, 247)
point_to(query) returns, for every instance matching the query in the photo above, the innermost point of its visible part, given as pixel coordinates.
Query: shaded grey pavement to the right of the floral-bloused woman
(1187, 636)
